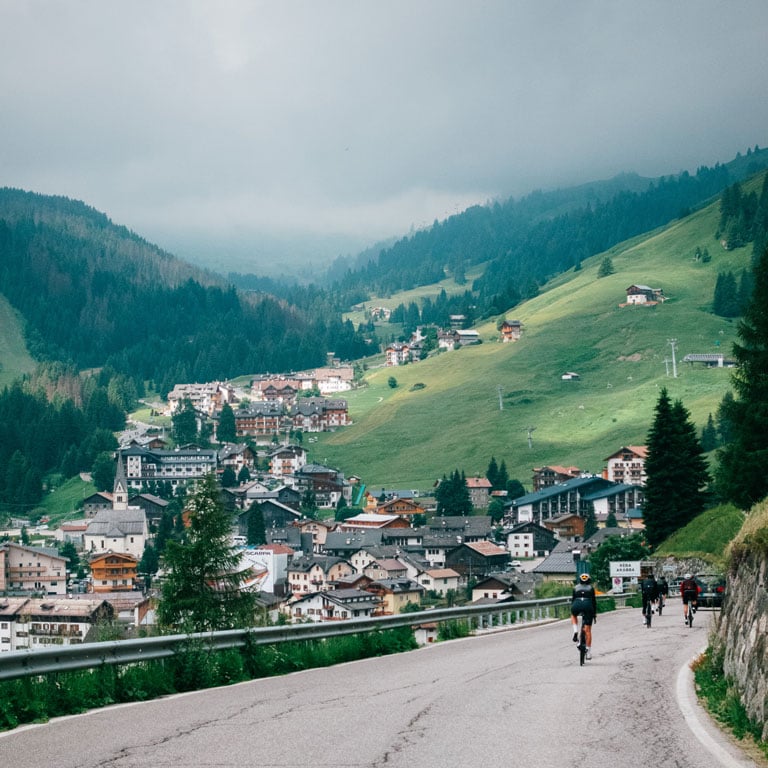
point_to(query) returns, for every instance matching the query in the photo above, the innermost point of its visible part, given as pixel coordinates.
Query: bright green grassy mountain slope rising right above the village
(410, 438)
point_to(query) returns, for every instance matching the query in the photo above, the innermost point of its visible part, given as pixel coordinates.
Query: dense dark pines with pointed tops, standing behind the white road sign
(676, 471)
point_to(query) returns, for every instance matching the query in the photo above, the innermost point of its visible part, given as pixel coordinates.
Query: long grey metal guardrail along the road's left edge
(43, 661)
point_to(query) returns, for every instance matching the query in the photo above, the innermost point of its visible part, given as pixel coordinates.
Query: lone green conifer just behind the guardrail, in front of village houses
(202, 589)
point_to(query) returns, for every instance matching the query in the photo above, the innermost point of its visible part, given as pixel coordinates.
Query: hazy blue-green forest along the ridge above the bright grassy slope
(524, 243)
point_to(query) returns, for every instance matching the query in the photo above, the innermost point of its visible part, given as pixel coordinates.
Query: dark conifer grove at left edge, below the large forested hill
(41, 436)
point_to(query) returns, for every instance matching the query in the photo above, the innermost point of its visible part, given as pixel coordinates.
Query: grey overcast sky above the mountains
(327, 121)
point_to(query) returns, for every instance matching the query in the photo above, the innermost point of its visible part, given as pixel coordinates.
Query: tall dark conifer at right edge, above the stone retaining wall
(741, 475)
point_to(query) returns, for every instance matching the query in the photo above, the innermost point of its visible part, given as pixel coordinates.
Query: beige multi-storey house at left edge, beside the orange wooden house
(31, 570)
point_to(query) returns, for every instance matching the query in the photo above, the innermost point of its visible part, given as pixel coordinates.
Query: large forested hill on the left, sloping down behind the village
(92, 294)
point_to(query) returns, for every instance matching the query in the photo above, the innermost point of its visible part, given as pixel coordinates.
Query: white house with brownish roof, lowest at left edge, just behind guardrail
(29, 625)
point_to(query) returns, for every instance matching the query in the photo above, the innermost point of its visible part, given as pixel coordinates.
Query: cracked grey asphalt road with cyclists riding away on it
(512, 698)
